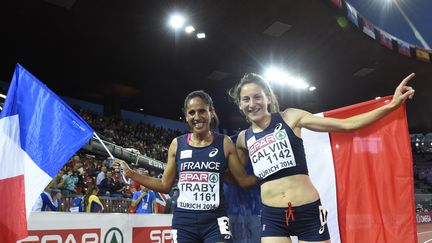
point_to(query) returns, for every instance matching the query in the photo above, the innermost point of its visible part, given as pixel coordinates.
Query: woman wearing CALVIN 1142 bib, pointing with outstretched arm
(290, 203)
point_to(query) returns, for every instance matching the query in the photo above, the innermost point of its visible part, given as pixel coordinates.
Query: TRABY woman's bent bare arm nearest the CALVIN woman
(235, 167)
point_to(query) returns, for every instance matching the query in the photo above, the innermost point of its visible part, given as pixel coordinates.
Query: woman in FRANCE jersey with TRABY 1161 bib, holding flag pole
(199, 159)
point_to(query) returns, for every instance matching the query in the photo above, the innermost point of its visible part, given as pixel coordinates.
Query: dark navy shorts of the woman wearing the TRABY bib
(201, 227)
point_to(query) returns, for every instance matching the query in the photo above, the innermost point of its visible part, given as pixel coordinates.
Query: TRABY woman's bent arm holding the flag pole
(161, 185)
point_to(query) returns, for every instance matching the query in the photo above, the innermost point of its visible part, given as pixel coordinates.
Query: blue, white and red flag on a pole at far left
(38, 134)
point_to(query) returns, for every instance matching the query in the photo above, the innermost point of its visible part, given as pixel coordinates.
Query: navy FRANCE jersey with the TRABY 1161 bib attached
(201, 171)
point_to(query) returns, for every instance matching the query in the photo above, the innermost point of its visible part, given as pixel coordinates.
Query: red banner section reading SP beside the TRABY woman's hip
(157, 234)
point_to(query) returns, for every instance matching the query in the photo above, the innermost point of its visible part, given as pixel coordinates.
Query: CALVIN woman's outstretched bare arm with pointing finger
(309, 121)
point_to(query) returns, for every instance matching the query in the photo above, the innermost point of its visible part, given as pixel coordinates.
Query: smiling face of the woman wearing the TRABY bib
(198, 115)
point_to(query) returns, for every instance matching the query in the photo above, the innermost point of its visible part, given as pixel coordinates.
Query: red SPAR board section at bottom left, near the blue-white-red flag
(63, 236)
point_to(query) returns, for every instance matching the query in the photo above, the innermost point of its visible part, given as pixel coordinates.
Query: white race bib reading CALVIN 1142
(271, 153)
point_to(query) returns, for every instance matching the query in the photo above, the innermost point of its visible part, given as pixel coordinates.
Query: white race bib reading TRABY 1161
(198, 190)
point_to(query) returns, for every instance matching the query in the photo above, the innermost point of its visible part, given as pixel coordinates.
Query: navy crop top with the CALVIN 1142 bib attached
(276, 152)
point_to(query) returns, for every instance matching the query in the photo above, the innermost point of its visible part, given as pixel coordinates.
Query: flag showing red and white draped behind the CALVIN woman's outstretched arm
(365, 177)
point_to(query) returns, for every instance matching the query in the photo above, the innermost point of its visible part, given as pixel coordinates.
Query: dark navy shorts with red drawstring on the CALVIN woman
(308, 222)
